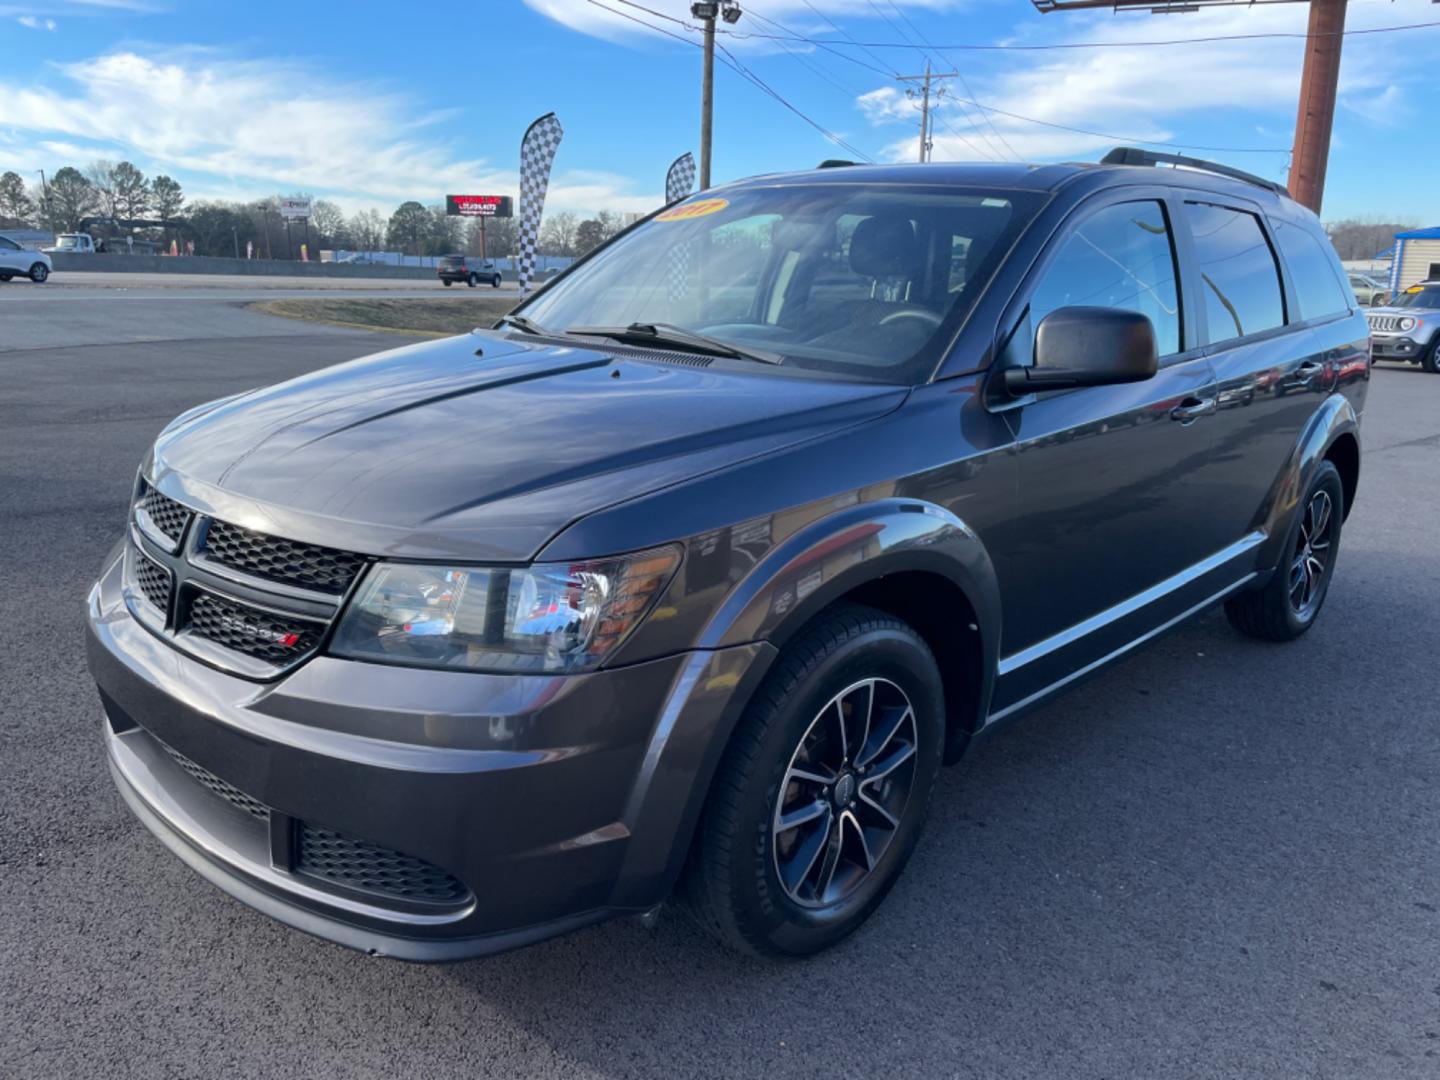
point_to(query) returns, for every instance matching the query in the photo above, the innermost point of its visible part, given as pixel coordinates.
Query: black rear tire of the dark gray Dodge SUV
(1274, 613)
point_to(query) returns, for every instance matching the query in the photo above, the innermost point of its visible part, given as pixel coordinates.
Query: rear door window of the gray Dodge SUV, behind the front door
(1238, 273)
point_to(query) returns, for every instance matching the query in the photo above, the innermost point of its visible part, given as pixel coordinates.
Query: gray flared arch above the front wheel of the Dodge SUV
(860, 544)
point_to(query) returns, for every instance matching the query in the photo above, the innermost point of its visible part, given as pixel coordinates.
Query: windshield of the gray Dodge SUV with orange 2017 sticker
(863, 282)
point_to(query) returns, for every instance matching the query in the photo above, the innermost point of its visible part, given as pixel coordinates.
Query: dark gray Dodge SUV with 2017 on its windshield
(672, 585)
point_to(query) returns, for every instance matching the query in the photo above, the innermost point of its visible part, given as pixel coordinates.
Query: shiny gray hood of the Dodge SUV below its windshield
(483, 447)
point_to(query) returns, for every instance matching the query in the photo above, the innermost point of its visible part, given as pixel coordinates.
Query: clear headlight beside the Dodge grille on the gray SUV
(565, 617)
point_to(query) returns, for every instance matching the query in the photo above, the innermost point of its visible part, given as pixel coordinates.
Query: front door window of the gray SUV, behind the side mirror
(1118, 258)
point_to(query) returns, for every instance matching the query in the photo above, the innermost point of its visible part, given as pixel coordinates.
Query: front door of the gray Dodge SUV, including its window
(1114, 531)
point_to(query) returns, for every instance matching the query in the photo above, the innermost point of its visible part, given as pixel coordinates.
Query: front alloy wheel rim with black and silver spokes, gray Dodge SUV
(845, 793)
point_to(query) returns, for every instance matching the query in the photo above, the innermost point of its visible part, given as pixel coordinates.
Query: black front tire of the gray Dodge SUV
(732, 883)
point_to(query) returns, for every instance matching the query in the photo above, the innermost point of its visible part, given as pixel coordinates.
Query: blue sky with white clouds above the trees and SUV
(372, 104)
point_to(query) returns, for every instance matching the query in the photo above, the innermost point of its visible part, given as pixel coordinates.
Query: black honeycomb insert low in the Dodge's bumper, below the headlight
(365, 868)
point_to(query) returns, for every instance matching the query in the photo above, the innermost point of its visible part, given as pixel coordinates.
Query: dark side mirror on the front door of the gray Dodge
(1088, 348)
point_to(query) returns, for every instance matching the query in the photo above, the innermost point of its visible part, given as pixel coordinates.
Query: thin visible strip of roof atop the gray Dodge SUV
(1033, 178)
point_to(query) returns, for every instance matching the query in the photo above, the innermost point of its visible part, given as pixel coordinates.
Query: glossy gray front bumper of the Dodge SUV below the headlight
(554, 801)
